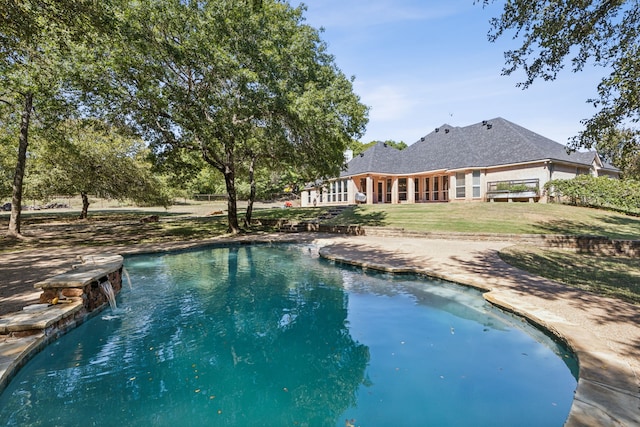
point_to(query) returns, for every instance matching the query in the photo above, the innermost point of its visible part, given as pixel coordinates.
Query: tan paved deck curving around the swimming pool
(603, 332)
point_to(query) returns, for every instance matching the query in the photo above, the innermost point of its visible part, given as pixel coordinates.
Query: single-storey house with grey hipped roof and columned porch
(494, 160)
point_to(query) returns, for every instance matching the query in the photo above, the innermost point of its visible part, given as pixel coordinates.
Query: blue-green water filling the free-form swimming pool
(274, 336)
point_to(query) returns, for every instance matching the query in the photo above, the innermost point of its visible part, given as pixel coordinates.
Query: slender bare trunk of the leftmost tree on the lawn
(16, 202)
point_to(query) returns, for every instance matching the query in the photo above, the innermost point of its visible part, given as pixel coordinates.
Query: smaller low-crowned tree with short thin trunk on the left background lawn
(95, 159)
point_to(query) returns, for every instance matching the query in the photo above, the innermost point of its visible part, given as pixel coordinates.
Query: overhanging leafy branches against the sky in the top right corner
(582, 32)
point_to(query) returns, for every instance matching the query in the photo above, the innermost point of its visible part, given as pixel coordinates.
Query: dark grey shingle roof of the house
(488, 143)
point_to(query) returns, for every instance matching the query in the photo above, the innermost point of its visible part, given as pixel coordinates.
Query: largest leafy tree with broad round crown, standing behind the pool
(235, 82)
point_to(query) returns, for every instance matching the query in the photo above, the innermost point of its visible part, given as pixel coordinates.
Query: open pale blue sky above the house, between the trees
(421, 63)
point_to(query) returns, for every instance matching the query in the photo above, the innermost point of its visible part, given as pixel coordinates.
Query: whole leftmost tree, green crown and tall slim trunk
(37, 52)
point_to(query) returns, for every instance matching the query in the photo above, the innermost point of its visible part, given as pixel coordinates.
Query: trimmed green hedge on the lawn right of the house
(600, 192)
